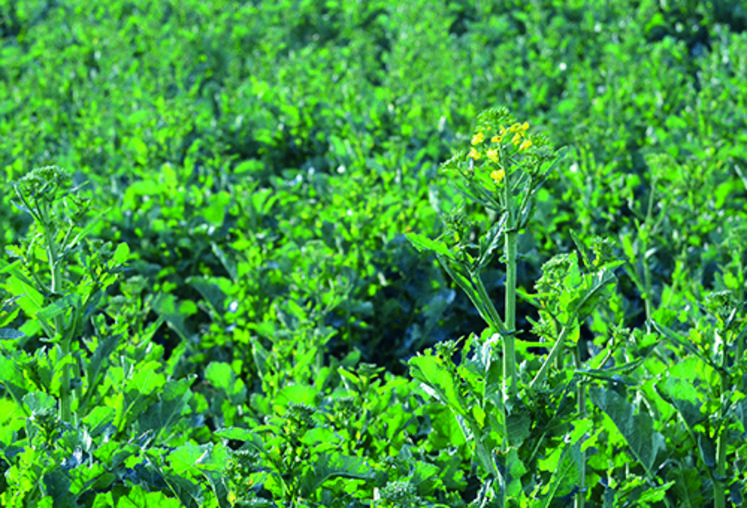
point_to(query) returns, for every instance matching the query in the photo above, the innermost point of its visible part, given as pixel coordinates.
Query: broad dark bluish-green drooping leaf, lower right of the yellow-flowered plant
(637, 429)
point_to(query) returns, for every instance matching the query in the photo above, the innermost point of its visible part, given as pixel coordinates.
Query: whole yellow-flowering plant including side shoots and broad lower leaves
(503, 169)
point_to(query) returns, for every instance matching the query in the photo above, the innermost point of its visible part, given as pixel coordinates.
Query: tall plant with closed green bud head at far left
(58, 281)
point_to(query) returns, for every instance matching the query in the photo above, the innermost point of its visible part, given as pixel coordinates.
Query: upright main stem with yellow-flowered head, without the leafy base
(502, 170)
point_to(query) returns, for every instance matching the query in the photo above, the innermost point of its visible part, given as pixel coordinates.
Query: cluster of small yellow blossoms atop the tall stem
(498, 144)
